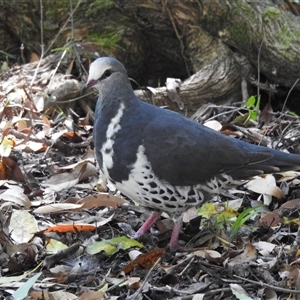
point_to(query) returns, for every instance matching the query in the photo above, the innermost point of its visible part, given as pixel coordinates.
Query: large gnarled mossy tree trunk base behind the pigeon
(213, 46)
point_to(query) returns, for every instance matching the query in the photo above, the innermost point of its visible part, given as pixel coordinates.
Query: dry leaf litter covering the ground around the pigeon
(65, 236)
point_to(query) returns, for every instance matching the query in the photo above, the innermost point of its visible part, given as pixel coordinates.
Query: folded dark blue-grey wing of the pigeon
(187, 153)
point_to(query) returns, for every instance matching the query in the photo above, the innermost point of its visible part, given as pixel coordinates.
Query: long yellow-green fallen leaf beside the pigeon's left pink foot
(113, 245)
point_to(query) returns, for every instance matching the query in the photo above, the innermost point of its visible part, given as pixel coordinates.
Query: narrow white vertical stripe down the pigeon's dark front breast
(107, 148)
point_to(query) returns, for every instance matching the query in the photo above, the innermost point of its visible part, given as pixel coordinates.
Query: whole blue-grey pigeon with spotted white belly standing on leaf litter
(162, 159)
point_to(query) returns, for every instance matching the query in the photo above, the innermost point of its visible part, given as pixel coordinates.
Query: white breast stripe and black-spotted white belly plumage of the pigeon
(144, 187)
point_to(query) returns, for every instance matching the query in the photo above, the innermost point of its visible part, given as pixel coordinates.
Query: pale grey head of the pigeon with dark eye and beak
(105, 72)
